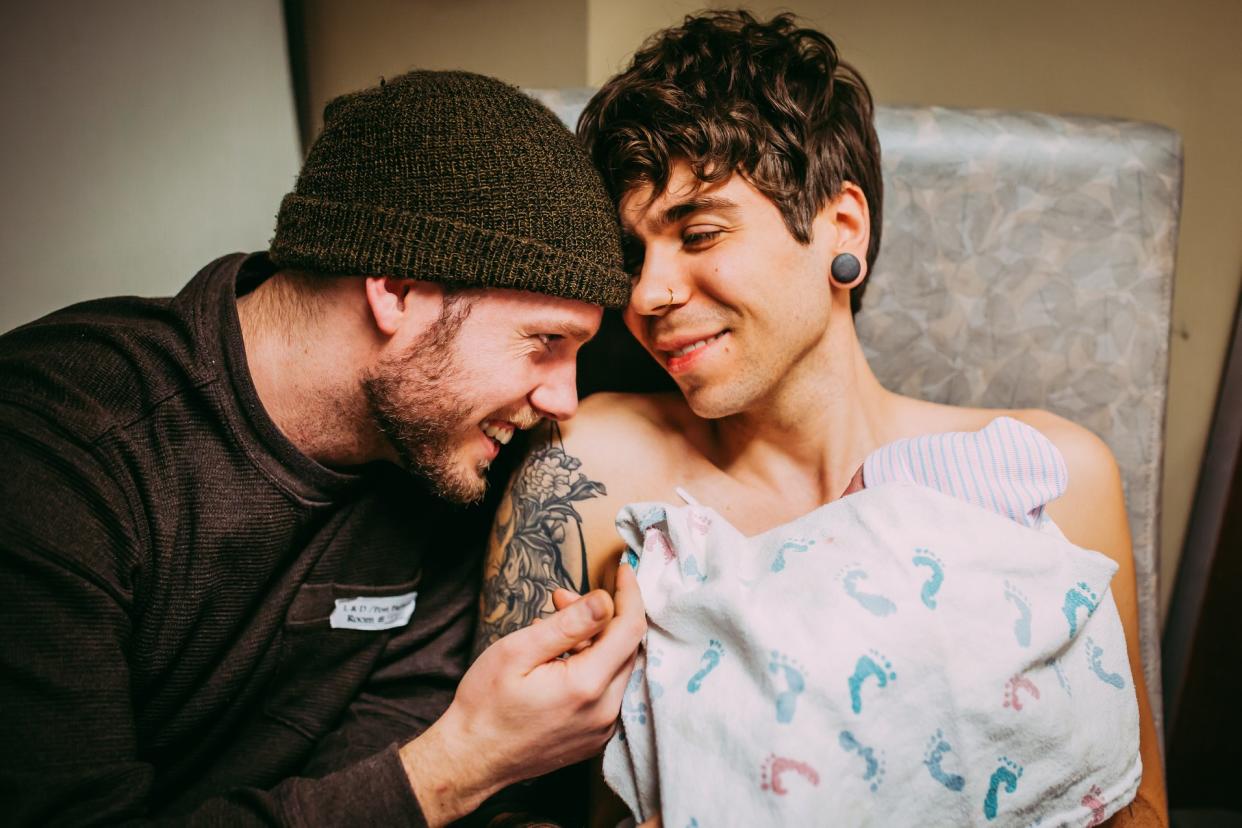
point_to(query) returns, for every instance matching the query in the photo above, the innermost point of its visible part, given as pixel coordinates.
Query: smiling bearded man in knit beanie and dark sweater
(233, 592)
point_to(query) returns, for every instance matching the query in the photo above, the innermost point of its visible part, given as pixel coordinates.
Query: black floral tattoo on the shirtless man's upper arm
(541, 536)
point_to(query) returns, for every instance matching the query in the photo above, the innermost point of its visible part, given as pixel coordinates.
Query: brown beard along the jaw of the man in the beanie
(414, 402)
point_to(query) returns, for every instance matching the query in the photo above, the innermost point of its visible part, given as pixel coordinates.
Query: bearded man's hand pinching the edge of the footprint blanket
(522, 711)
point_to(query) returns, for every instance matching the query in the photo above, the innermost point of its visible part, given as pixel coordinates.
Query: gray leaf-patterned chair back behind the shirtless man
(1028, 261)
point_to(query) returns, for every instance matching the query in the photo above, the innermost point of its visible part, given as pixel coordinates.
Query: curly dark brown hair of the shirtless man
(730, 94)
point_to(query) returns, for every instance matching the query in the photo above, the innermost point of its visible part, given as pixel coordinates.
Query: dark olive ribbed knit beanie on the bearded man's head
(453, 177)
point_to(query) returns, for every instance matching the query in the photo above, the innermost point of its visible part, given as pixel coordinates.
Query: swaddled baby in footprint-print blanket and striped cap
(927, 651)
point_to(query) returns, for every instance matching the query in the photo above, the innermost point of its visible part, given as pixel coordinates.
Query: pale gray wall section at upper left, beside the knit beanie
(141, 142)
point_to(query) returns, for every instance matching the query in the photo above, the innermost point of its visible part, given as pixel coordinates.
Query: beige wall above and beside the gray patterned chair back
(1172, 64)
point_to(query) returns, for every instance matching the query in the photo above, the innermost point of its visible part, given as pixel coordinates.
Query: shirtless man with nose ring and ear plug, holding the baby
(746, 169)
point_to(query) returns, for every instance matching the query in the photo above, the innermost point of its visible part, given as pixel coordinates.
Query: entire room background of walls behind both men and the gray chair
(143, 140)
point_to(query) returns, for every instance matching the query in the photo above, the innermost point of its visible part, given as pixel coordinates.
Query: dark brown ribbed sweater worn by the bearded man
(168, 567)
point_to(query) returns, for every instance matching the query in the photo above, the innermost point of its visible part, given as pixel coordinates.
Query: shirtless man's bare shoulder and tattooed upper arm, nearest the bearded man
(556, 527)
